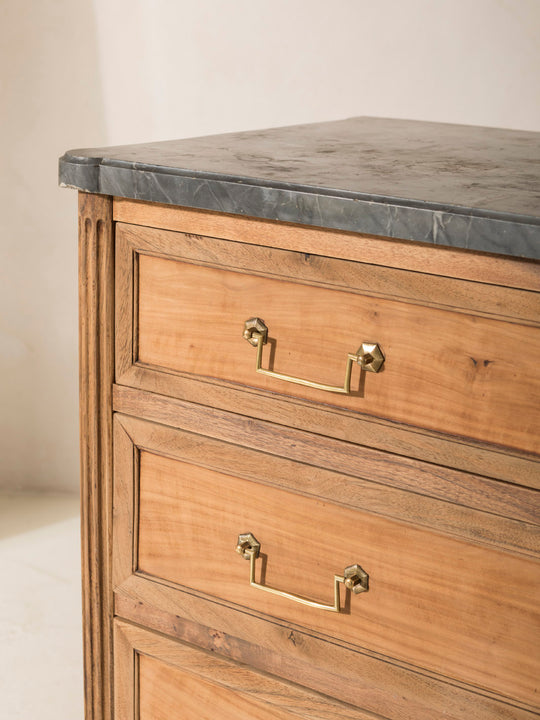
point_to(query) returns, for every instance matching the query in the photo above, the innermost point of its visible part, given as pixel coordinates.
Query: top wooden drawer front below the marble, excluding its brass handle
(460, 357)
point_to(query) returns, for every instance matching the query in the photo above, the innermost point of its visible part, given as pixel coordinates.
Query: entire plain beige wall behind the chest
(76, 73)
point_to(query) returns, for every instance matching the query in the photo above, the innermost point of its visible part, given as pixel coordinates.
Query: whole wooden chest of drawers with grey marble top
(310, 408)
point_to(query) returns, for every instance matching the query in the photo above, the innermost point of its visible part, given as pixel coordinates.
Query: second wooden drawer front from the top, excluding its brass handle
(461, 603)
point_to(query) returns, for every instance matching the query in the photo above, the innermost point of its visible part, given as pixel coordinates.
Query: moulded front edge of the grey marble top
(442, 225)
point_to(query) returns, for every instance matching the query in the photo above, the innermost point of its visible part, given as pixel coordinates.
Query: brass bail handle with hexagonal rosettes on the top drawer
(369, 356)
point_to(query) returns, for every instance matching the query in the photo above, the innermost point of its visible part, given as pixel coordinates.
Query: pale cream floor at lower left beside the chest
(41, 675)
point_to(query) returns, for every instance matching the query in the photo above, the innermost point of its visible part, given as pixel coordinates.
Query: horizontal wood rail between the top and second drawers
(362, 435)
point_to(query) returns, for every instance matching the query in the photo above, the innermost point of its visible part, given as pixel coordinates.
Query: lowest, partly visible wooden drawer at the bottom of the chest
(158, 679)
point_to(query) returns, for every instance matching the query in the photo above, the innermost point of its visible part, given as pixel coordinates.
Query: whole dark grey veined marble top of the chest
(468, 187)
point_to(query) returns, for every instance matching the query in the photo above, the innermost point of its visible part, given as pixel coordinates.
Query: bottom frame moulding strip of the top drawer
(481, 459)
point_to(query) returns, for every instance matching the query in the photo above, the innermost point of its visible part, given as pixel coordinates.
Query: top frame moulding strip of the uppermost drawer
(356, 277)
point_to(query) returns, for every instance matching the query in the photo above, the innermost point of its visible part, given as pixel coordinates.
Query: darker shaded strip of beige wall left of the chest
(51, 100)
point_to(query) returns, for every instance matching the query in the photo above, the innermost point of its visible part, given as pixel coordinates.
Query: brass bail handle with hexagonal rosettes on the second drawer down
(354, 578)
